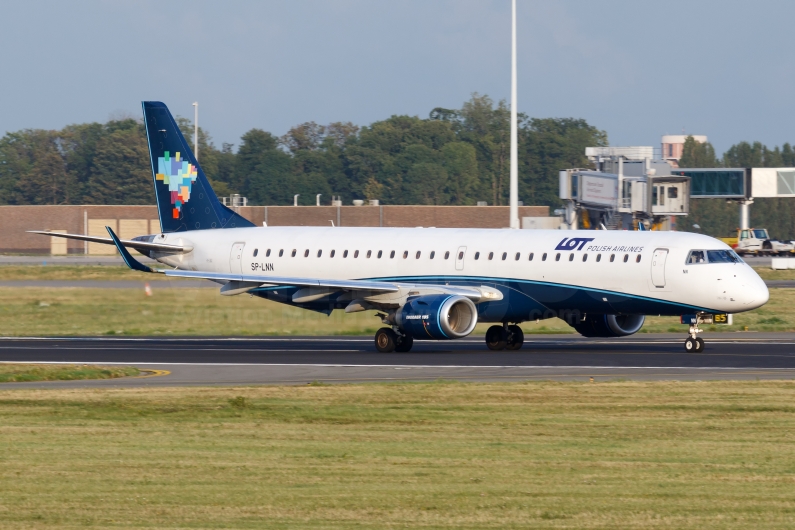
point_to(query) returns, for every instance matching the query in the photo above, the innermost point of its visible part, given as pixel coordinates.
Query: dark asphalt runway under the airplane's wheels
(302, 360)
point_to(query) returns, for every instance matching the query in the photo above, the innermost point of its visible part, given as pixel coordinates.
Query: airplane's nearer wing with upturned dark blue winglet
(314, 287)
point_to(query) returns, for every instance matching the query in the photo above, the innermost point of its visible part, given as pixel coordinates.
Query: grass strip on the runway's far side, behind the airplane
(177, 311)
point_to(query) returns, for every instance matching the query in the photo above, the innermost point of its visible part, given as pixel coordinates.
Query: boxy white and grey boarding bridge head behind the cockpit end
(621, 193)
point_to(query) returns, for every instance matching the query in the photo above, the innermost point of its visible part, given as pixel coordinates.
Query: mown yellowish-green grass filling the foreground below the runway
(438, 455)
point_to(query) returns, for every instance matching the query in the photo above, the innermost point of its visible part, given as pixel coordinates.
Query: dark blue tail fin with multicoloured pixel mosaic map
(185, 199)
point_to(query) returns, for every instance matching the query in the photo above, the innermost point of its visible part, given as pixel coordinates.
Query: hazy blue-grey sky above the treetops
(636, 69)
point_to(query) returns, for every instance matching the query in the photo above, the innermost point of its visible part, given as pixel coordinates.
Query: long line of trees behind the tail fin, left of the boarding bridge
(452, 157)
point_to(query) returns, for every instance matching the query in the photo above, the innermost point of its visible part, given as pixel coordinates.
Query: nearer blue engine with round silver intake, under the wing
(437, 317)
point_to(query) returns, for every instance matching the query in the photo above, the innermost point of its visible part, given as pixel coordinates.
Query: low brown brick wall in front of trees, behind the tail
(15, 220)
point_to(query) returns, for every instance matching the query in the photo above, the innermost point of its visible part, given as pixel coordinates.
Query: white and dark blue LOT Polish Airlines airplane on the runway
(435, 283)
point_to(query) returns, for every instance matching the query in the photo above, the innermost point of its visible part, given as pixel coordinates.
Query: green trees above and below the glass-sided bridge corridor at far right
(718, 218)
